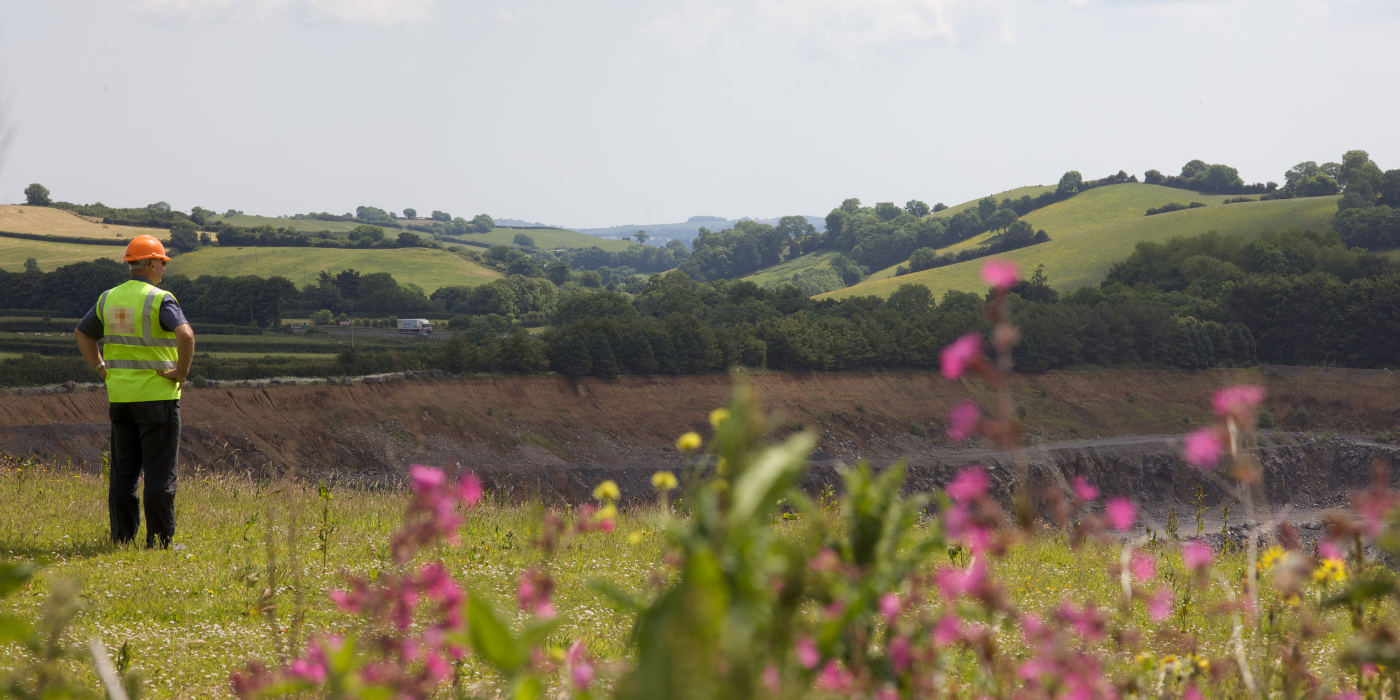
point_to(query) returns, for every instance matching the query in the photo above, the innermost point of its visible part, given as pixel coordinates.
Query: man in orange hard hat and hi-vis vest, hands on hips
(145, 358)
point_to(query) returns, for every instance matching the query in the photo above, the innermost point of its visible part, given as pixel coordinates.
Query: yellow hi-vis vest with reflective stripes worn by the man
(134, 344)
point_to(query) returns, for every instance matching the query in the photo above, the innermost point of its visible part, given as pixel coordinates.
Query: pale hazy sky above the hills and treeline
(626, 113)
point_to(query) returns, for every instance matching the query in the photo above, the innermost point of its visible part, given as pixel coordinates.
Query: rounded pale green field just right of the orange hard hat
(423, 267)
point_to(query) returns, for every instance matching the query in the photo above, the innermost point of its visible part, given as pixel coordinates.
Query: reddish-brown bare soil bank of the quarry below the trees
(559, 436)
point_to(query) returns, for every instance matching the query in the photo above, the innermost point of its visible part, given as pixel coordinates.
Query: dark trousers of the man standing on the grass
(145, 439)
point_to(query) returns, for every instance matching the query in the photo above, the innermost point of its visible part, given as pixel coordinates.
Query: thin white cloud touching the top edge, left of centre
(346, 12)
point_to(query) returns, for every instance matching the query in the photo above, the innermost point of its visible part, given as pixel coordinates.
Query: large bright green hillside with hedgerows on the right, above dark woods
(1100, 227)
